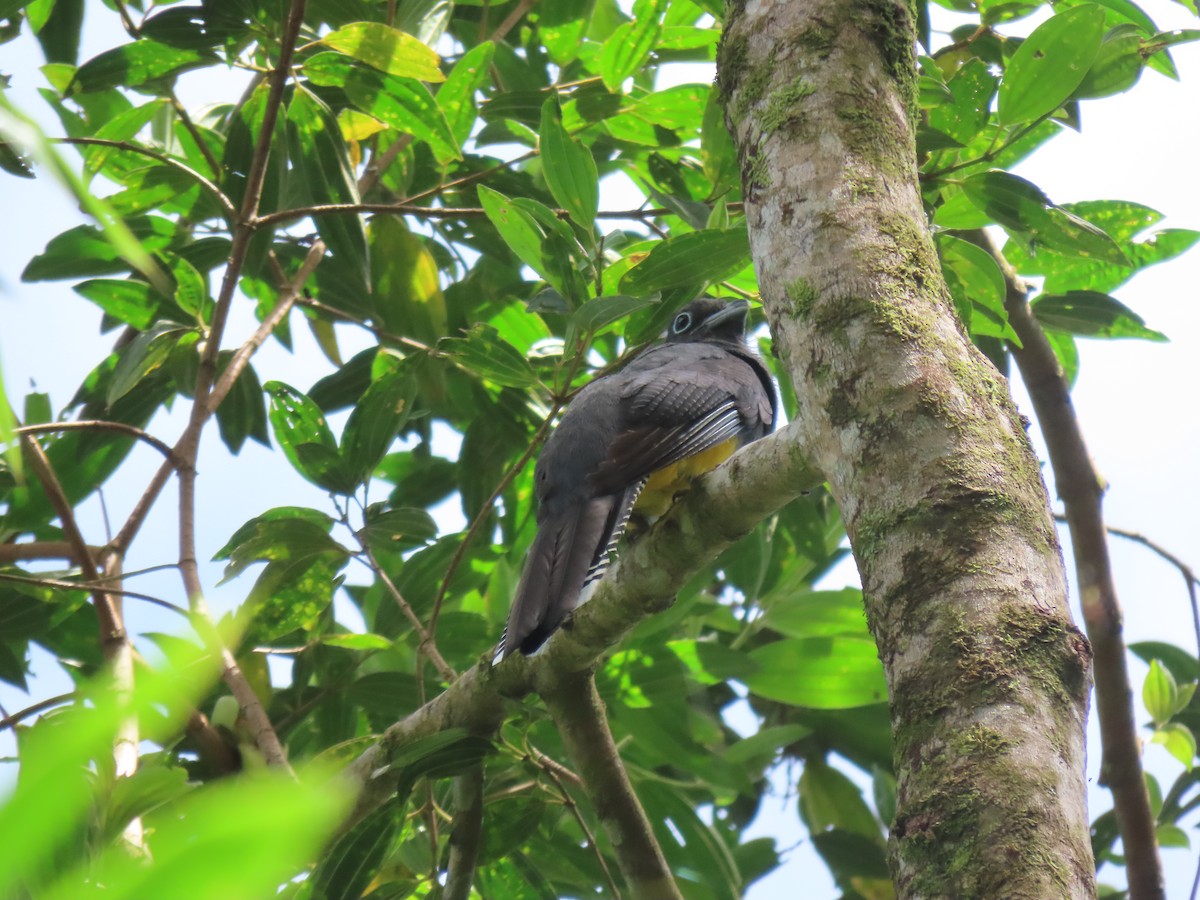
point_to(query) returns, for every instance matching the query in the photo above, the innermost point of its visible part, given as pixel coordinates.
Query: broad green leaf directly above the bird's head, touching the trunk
(689, 259)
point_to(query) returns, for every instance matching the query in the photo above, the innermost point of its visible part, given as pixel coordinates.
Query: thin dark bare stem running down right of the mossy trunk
(1082, 491)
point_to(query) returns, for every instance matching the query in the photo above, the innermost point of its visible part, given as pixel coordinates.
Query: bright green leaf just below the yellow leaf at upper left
(403, 104)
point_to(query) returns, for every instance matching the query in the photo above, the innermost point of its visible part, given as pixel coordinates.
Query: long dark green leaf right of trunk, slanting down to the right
(1022, 207)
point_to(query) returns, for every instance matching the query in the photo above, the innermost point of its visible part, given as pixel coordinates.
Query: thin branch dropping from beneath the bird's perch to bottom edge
(583, 723)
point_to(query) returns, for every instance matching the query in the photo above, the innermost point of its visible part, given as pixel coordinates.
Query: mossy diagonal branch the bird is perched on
(721, 508)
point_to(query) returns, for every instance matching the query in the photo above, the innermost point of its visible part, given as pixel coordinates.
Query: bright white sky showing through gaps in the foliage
(1138, 403)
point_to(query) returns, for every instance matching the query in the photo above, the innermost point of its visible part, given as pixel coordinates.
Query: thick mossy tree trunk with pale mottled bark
(923, 449)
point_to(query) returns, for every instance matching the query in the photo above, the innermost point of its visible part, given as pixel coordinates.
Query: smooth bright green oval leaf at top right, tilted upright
(1051, 64)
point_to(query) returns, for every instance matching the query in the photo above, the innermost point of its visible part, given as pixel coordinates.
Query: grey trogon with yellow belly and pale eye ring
(628, 445)
